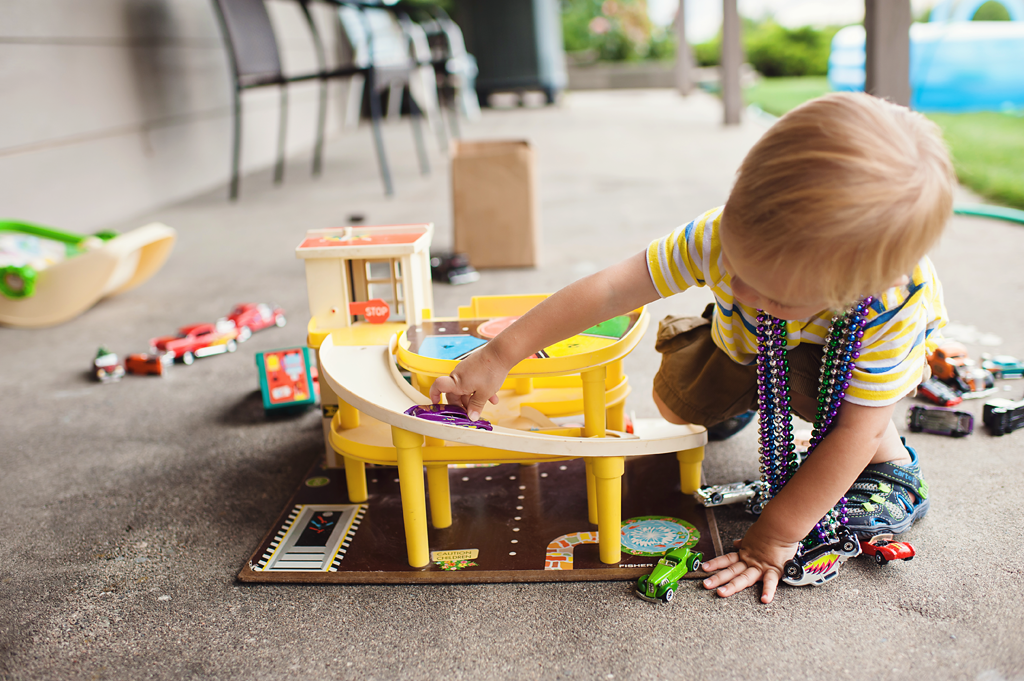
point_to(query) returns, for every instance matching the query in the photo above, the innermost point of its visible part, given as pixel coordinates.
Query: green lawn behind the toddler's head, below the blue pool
(988, 147)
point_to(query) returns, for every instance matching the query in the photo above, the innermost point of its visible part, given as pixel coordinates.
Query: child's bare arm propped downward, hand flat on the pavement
(823, 480)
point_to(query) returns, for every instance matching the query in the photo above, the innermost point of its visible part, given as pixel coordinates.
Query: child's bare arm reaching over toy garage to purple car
(616, 290)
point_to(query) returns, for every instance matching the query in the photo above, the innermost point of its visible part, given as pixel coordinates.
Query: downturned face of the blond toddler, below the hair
(779, 294)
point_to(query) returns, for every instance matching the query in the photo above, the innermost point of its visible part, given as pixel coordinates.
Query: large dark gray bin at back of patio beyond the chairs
(518, 45)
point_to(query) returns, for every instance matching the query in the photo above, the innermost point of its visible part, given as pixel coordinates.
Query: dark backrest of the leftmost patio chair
(251, 40)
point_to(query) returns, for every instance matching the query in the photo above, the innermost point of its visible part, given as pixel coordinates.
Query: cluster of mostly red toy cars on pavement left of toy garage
(192, 343)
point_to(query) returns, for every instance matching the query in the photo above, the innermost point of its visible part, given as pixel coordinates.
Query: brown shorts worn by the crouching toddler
(703, 386)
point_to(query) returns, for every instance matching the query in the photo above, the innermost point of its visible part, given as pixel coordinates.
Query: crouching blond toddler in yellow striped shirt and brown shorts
(836, 205)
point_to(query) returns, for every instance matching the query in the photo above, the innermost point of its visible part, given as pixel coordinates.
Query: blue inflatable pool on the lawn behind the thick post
(956, 65)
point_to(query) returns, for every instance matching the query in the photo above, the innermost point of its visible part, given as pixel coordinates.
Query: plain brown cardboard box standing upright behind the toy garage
(494, 203)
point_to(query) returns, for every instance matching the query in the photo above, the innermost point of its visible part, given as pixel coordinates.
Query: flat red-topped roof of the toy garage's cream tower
(366, 242)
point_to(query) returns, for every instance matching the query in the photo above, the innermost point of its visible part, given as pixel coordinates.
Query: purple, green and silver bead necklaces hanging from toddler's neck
(779, 454)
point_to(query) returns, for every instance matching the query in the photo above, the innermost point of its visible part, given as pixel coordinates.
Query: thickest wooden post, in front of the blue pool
(887, 70)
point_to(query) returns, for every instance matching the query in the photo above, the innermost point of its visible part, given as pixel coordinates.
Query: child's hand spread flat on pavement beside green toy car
(759, 558)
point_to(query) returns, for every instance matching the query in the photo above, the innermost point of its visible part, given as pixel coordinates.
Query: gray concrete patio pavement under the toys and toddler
(129, 509)
